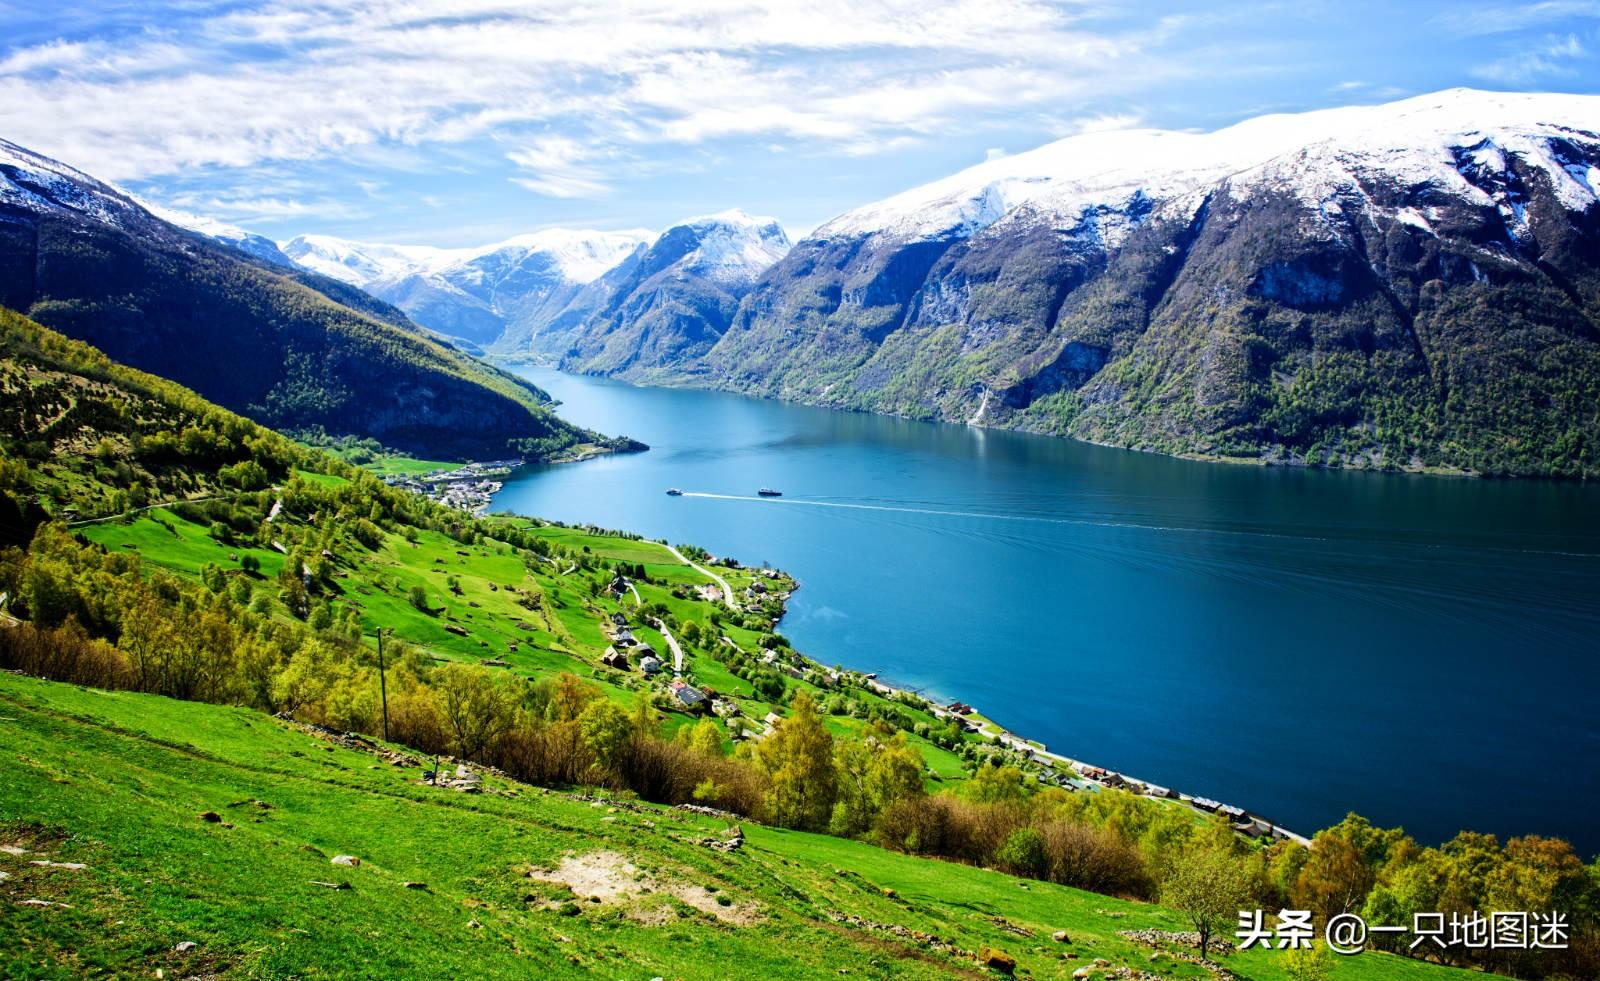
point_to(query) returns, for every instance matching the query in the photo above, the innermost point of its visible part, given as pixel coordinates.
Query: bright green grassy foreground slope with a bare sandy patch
(118, 782)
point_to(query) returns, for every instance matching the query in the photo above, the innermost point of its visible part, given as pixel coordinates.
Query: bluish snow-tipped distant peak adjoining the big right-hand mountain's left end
(665, 308)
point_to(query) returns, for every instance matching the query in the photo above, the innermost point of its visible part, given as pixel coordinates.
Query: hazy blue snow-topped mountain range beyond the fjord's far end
(601, 302)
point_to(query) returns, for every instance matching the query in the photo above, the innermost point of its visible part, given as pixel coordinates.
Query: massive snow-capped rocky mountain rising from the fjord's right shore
(1204, 292)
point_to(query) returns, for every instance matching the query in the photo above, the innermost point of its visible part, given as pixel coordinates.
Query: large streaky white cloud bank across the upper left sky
(305, 81)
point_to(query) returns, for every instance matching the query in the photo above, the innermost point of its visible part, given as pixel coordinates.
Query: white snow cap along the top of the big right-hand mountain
(1078, 175)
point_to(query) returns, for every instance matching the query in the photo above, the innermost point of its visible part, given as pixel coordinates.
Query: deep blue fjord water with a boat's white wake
(1423, 651)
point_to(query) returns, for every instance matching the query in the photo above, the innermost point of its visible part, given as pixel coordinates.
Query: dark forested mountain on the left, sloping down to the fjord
(230, 316)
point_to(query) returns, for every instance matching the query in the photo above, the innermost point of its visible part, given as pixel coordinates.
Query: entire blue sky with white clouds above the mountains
(473, 121)
